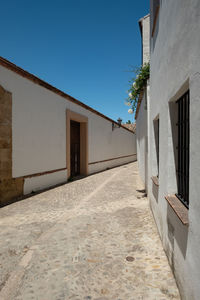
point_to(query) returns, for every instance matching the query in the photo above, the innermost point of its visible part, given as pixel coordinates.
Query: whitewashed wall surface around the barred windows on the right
(175, 66)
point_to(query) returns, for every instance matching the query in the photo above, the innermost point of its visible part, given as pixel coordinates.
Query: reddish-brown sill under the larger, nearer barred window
(180, 210)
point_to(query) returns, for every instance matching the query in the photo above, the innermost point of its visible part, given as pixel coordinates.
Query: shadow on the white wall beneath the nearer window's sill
(176, 232)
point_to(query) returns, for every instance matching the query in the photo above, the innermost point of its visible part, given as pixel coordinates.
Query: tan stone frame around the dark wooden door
(71, 115)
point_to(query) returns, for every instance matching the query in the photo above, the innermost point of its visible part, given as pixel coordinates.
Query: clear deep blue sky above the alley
(83, 47)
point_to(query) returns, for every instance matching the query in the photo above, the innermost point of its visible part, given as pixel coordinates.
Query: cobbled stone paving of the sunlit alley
(91, 239)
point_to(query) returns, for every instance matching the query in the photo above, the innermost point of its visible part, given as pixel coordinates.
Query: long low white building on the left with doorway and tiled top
(46, 136)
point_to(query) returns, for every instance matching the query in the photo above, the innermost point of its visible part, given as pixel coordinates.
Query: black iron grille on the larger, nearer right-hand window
(183, 148)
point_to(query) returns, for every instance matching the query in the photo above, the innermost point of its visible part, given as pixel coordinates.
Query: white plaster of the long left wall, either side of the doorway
(39, 133)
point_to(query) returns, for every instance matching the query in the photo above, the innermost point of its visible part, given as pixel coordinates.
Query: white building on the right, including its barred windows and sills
(173, 130)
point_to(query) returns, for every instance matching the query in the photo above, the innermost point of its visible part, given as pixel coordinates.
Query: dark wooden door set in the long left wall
(75, 148)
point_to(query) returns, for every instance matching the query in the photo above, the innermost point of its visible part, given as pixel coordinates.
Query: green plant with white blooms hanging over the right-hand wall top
(137, 84)
